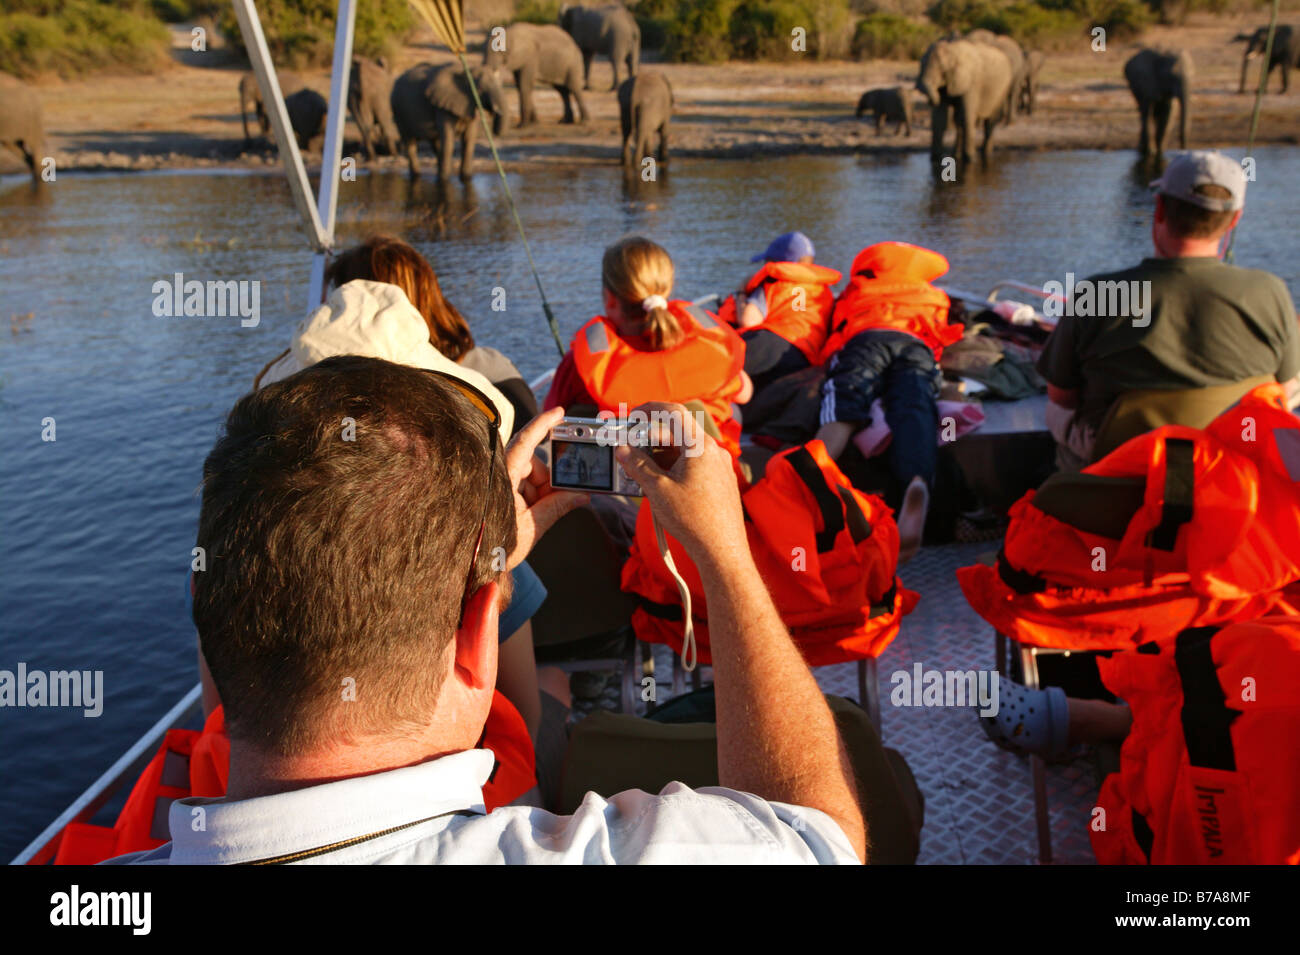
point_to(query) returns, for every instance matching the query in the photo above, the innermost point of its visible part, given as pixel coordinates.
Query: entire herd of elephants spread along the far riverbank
(973, 83)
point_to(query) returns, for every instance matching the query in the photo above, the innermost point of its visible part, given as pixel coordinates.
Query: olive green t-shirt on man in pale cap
(1206, 324)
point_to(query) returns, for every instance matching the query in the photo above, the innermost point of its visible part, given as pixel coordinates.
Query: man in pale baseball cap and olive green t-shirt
(1193, 320)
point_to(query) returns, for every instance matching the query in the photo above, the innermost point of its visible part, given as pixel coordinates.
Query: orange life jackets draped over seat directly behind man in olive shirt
(1217, 540)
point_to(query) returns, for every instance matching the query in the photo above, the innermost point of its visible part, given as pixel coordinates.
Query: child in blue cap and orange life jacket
(785, 310)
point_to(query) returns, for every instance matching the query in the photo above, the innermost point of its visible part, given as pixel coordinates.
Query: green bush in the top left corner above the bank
(75, 37)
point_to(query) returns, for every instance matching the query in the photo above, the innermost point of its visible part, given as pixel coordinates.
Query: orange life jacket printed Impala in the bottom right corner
(1211, 770)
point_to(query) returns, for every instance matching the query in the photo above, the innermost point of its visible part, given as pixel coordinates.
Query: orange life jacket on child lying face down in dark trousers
(890, 288)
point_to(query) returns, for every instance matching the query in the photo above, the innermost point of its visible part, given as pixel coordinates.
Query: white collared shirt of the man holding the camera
(678, 826)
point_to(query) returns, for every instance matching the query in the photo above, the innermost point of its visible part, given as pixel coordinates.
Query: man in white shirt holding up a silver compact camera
(389, 581)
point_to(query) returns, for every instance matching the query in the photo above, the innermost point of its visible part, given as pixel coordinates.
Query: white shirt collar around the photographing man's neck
(215, 832)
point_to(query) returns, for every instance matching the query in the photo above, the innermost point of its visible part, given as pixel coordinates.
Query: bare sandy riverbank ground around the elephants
(188, 116)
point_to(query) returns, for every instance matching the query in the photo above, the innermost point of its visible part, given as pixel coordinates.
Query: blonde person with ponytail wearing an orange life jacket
(651, 348)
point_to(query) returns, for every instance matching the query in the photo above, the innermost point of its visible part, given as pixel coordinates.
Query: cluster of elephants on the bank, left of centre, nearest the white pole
(436, 105)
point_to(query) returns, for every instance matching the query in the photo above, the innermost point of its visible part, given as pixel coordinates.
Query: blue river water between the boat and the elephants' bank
(97, 526)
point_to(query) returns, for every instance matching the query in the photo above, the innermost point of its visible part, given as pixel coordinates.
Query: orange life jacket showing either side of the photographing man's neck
(193, 763)
